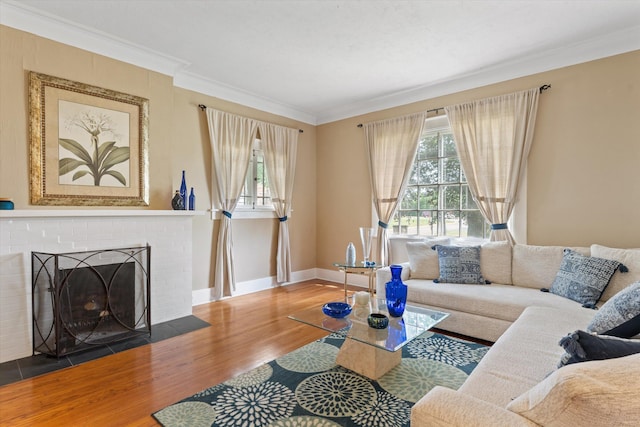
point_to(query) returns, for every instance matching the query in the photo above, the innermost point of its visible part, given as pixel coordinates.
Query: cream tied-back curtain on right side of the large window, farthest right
(493, 138)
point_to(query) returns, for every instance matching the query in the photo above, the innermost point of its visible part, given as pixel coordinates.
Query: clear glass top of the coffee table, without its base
(414, 322)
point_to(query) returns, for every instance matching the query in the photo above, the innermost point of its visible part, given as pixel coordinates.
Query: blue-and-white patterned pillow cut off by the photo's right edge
(620, 316)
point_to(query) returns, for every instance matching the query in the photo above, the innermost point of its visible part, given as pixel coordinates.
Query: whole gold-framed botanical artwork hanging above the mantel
(88, 144)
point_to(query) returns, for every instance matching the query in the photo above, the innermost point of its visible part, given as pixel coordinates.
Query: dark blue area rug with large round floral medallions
(306, 388)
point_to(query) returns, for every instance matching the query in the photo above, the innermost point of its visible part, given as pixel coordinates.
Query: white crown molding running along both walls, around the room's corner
(21, 17)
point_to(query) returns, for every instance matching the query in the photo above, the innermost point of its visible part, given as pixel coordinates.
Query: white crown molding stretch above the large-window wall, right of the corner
(622, 41)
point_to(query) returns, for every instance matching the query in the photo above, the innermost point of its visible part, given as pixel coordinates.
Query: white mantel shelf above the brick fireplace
(82, 213)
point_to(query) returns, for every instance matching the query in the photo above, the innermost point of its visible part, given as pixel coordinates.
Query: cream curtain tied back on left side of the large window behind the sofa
(391, 149)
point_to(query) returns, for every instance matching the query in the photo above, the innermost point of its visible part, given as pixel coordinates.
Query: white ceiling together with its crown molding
(322, 60)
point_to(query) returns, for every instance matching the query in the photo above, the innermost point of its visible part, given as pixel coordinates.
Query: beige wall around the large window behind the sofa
(583, 179)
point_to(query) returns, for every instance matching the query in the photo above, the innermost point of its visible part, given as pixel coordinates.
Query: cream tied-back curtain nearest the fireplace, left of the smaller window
(231, 146)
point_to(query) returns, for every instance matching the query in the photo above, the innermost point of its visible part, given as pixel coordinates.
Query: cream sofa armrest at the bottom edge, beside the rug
(445, 407)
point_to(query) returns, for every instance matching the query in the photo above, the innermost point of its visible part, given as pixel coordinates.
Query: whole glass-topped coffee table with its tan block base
(368, 351)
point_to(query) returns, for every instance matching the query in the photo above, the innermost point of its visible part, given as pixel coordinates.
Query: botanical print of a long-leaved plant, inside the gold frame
(94, 145)
